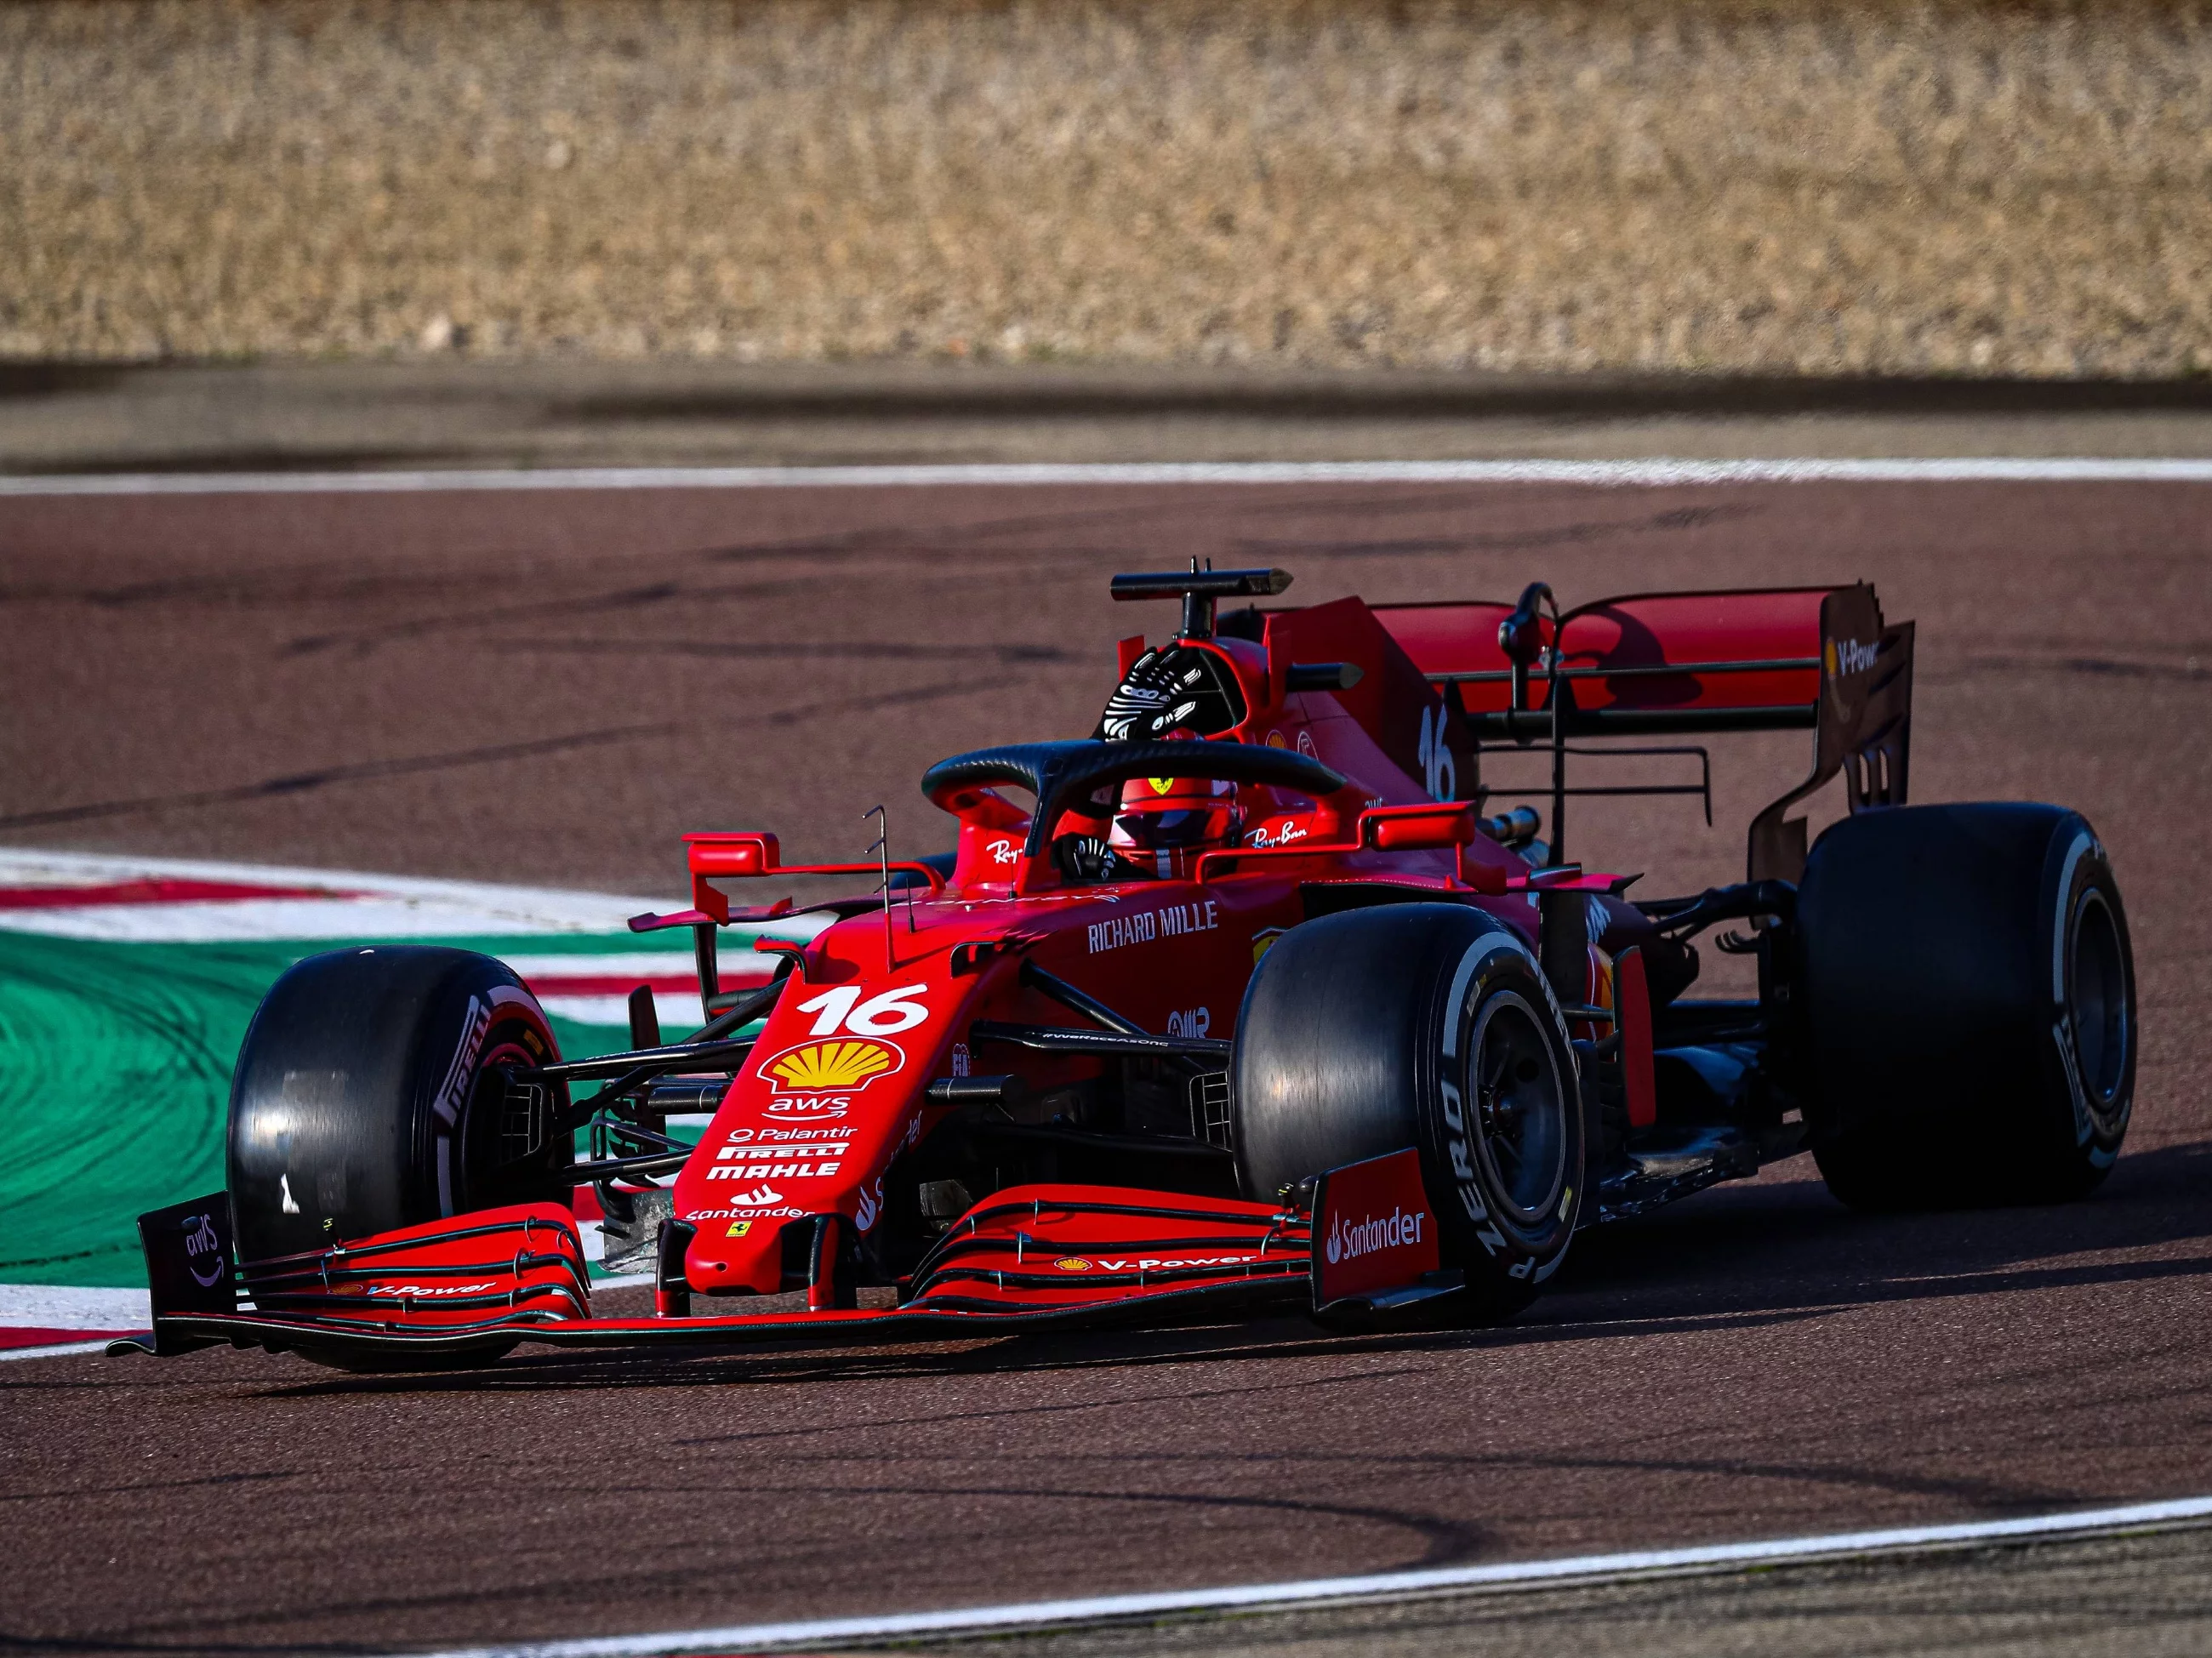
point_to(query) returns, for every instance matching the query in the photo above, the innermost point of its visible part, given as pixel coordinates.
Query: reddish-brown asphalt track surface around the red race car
(552, 689)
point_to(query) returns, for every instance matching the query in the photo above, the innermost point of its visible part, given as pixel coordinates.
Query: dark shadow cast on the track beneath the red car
(1735, 1259)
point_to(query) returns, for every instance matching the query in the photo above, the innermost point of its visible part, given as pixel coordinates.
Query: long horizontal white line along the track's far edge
(1965, 470)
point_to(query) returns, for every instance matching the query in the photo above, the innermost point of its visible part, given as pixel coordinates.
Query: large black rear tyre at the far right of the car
(1968, 1007)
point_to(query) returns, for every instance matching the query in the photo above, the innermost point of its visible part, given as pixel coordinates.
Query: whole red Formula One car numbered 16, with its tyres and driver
(1249, 1000)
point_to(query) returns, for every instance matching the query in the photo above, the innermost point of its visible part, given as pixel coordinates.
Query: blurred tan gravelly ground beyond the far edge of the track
(1556, 185)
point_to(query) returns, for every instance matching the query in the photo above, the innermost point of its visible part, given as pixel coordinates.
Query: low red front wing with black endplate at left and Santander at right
(1027, 1259)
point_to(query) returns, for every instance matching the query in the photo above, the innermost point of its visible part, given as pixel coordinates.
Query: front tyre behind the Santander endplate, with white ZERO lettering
(1428, 1027)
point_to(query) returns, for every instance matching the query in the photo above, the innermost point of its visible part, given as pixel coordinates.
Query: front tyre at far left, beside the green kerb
(371, 1095)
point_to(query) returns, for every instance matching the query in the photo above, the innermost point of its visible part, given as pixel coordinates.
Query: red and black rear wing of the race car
(1749, 660)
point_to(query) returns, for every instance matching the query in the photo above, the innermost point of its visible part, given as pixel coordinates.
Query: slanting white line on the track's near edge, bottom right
(1381, 1586)
